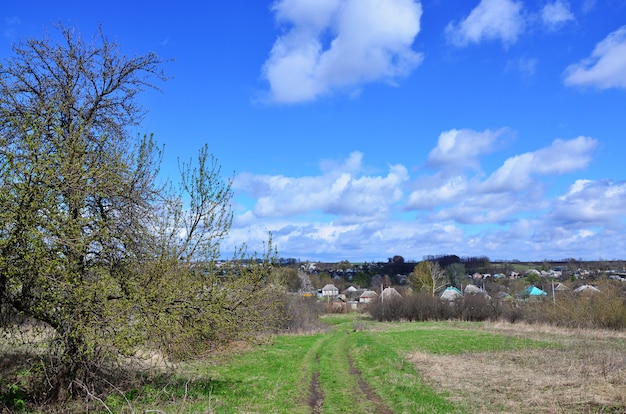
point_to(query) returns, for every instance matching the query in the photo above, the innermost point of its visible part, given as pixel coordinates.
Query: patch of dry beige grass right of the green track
(585, 373)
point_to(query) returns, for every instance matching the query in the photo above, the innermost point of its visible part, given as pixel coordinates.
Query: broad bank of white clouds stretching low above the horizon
(346, 213)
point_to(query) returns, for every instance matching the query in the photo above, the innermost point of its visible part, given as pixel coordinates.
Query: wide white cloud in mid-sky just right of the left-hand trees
(342, 191)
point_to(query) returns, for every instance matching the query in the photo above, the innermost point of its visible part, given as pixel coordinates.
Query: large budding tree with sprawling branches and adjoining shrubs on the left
(92, 248)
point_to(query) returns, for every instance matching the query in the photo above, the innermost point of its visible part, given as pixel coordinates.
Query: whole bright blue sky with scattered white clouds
(363, 129)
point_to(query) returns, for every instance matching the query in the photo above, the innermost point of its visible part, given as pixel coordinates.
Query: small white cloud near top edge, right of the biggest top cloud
(490, 20)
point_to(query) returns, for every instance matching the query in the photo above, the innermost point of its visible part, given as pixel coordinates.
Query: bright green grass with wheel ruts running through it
(276, 378)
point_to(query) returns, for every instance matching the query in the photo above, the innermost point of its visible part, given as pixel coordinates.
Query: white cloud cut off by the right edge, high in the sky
(605, 68)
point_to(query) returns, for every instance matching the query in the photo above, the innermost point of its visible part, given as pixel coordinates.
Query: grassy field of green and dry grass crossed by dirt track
(360, 366)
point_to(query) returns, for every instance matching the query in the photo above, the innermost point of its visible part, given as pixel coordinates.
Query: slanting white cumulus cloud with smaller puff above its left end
(470, 199)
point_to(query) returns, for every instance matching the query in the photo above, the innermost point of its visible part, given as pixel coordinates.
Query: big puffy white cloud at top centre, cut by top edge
(336, 45)
